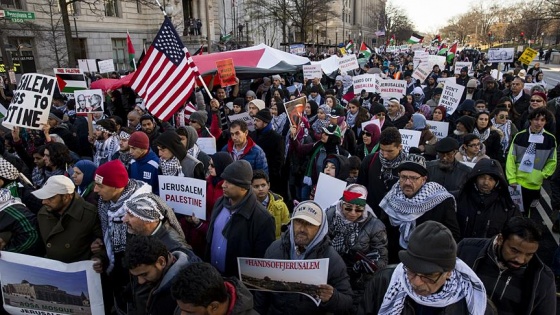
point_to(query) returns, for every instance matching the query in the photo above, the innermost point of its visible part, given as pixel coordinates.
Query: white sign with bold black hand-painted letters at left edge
(31, 103)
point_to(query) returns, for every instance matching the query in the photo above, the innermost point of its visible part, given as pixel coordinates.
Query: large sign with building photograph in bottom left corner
(34, 285)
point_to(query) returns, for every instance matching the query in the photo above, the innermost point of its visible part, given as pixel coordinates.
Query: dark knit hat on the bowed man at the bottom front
(431, 249)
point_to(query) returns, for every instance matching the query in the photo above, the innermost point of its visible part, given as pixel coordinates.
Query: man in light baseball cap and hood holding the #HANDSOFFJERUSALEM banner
(307, 238)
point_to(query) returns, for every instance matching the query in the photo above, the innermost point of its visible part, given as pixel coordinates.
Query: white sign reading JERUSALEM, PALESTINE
(184, 195)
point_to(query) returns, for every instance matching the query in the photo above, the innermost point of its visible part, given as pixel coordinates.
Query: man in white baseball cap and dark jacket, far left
(67, 222)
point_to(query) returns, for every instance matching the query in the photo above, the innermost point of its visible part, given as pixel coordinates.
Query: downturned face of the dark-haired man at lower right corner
(515, 251)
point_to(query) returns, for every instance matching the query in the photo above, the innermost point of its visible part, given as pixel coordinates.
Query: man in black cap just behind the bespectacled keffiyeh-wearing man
(446, 171)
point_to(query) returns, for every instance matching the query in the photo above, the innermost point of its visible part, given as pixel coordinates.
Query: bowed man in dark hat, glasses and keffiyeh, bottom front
(429, 280)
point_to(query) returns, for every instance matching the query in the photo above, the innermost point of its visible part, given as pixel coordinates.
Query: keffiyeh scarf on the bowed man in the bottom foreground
(462, 284)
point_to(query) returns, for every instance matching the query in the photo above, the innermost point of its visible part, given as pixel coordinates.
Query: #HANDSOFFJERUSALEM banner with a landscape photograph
(288, 276)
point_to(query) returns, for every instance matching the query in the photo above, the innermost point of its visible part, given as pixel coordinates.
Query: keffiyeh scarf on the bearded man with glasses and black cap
(404, 211)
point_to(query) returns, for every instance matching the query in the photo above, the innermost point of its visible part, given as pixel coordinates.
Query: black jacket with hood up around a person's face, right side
(484, 215)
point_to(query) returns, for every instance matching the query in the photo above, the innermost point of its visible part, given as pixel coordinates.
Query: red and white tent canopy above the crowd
(252, 62)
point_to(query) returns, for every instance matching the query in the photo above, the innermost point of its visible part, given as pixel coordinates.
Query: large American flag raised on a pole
(166, 77)
